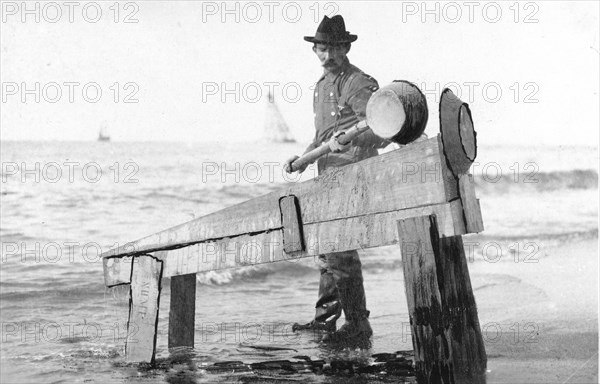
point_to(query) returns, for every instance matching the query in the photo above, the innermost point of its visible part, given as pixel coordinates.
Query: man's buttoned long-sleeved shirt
(340, 101)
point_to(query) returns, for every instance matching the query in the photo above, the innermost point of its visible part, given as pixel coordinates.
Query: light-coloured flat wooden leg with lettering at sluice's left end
(146, 274)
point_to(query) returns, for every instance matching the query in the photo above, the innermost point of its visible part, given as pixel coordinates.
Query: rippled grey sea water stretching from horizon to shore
(63, 203)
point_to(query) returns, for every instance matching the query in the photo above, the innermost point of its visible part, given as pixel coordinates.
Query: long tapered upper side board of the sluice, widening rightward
(411, 176)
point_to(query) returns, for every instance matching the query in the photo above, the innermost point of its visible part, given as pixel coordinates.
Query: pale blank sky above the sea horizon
(201, 71)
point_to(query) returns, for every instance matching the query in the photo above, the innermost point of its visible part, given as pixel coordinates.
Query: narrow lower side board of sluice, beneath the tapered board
(331, 236)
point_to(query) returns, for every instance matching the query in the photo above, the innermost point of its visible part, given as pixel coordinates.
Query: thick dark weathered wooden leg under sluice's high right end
(445, 329)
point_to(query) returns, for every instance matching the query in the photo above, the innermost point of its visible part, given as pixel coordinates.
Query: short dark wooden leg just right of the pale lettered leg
(183, 311)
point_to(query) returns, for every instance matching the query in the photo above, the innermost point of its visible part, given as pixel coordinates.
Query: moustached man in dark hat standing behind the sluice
(339, 103)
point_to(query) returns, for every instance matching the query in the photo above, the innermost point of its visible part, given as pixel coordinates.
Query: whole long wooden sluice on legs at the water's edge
(420, 196)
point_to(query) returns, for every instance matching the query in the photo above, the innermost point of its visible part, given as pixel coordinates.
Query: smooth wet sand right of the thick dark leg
(540, 320)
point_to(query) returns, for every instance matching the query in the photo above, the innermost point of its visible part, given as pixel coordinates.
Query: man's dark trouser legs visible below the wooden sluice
(340, 288)
